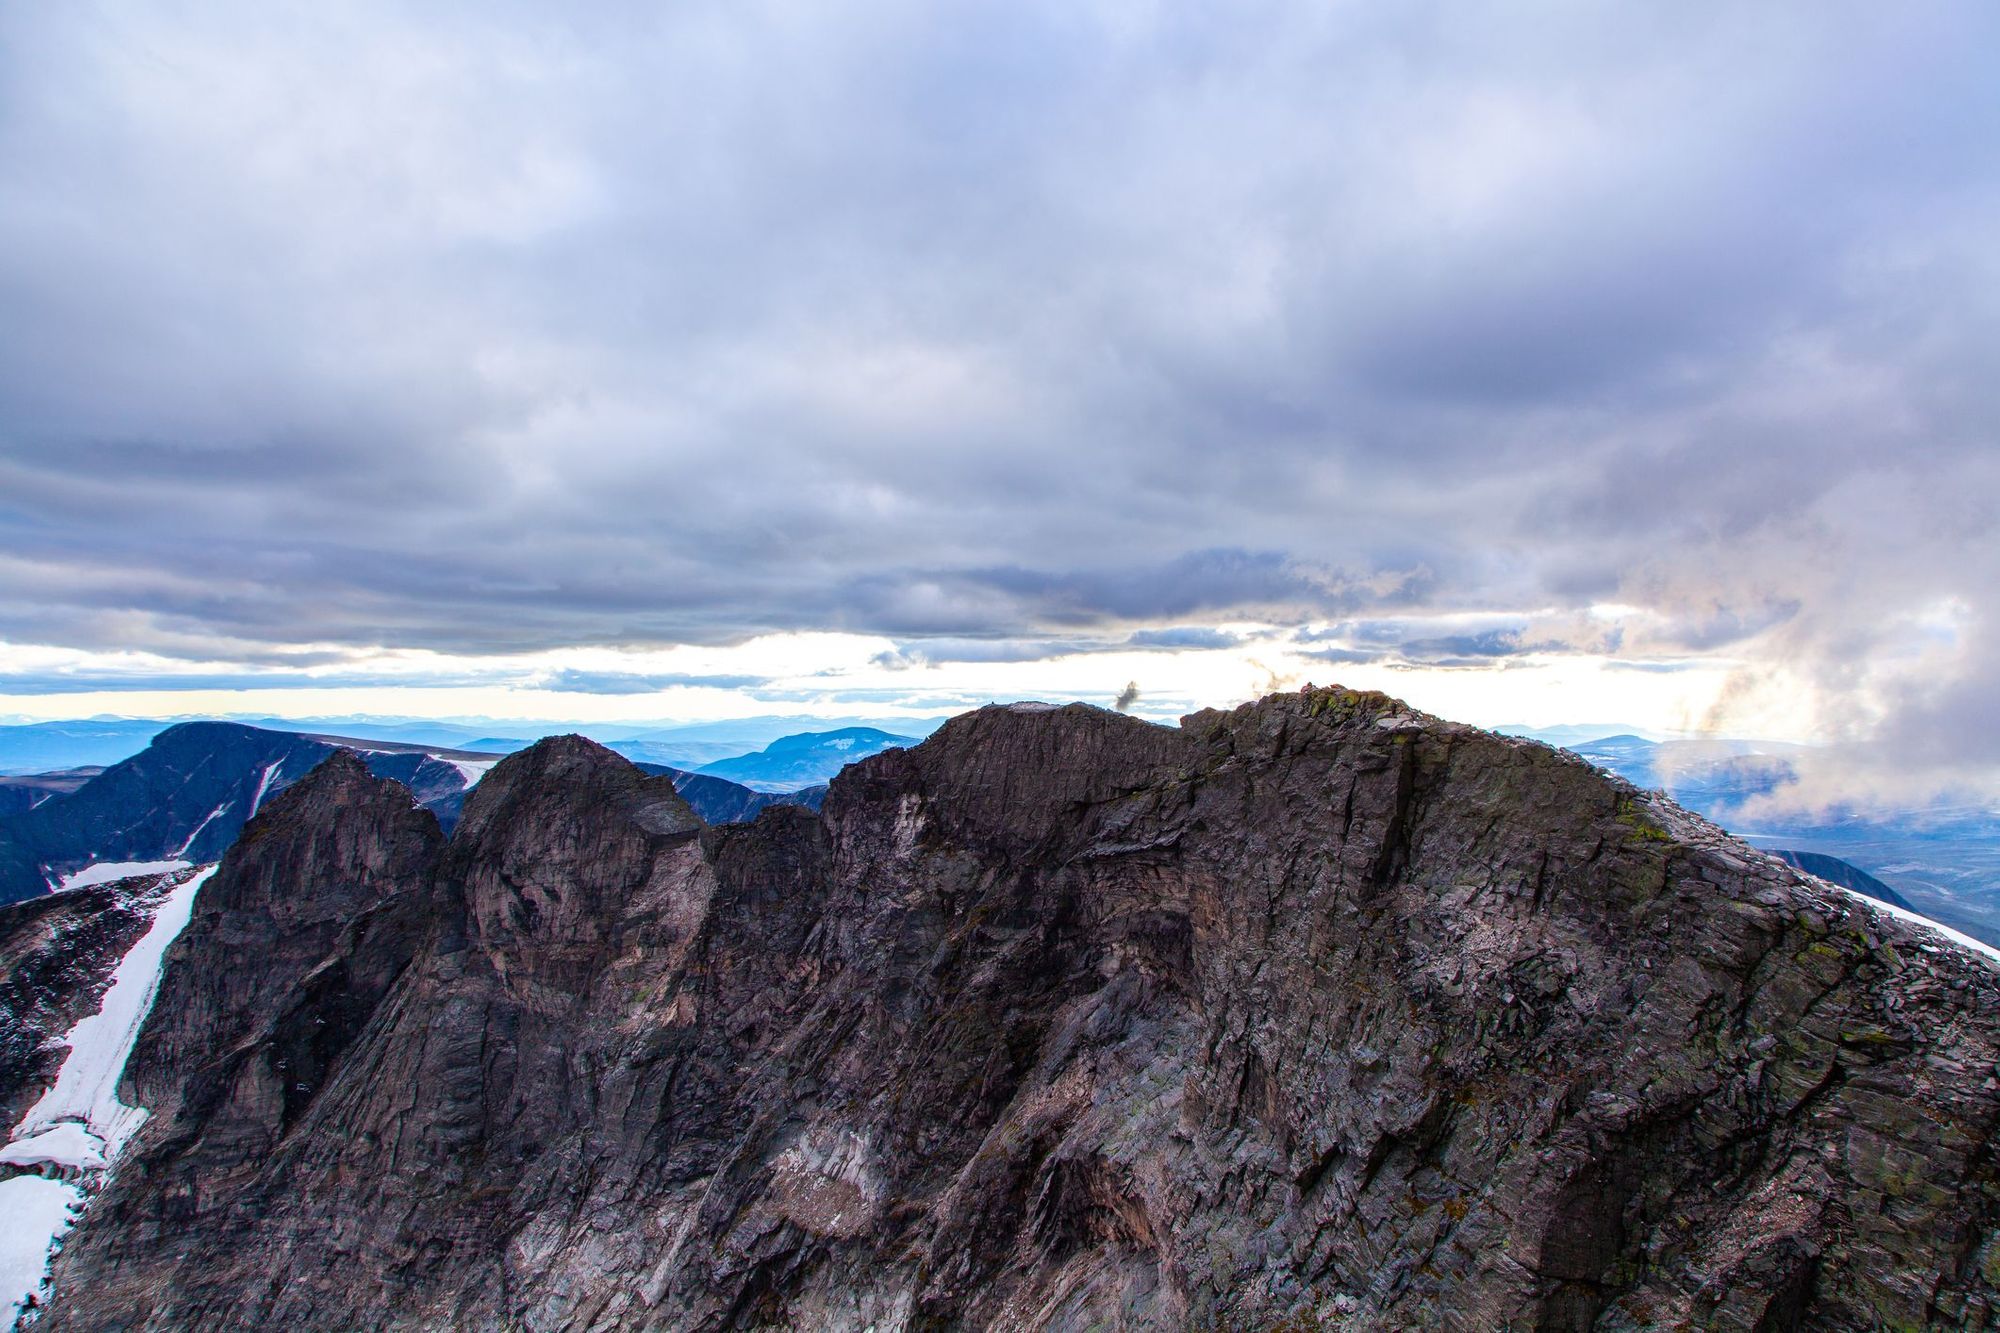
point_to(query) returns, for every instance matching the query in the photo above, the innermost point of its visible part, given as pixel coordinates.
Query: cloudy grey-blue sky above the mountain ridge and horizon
(1537, 363)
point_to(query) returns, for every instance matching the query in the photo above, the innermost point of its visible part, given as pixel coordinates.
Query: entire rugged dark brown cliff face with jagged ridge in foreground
(1317, 1010)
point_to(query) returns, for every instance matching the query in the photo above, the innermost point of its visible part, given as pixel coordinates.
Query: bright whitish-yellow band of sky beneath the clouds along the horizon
(841, 676)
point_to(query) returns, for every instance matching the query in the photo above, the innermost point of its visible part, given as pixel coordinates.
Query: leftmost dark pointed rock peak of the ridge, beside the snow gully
(293, 948)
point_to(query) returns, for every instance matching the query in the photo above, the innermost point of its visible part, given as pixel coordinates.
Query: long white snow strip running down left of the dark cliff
(79, 1126)
